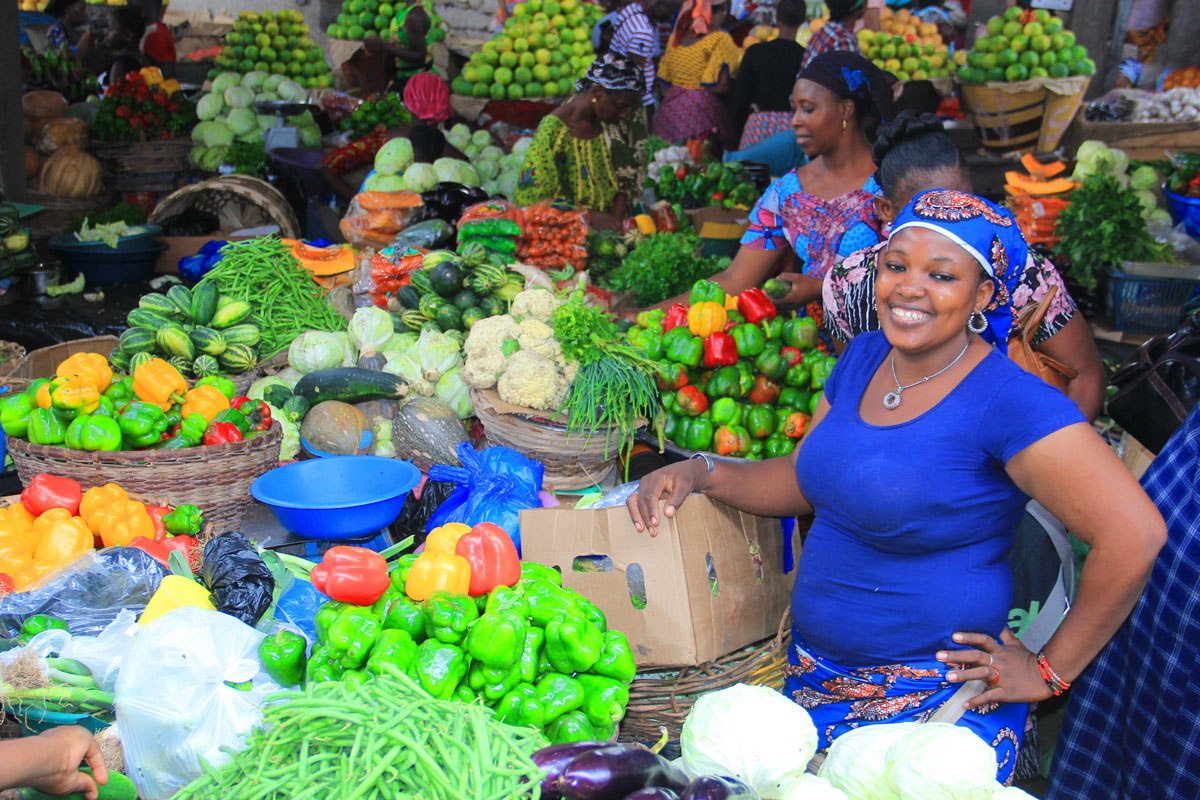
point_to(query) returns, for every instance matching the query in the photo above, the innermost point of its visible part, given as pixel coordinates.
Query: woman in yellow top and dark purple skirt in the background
(699, 67)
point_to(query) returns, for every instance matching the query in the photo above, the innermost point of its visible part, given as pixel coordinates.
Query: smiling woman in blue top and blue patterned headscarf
(920, 462)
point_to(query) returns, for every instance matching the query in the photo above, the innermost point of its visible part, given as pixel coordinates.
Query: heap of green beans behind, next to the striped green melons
(286, 302)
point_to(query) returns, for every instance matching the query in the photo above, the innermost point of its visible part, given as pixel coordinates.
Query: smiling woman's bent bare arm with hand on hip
(1082, 483)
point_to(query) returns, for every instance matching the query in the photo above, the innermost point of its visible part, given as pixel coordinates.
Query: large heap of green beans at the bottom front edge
(382, 738)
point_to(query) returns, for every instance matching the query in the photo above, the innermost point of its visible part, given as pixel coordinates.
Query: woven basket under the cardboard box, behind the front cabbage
(663, 699)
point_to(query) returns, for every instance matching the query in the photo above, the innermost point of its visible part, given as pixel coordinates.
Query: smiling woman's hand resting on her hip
(1010, 670)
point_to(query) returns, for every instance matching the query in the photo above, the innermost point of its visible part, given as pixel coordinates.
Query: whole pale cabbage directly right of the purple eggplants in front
(752, 733)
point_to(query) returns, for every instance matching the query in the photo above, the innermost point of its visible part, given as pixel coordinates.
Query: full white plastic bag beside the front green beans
(177, 700)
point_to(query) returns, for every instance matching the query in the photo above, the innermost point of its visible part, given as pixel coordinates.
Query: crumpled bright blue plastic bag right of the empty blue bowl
(494, 486)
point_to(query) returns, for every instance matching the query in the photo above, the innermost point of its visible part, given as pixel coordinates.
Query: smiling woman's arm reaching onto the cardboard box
(766, 489)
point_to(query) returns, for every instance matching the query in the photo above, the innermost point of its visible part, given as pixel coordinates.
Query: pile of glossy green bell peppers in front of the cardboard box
(538, 653)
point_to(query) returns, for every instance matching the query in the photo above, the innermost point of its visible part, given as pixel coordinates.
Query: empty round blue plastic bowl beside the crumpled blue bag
(329, 500)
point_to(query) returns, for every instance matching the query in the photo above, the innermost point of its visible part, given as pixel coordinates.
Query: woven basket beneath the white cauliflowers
(572, 462)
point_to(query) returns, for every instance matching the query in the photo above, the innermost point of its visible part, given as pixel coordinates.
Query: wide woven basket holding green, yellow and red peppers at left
(214, 478)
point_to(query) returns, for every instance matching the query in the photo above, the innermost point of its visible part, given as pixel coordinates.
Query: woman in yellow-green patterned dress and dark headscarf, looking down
(571, 158)
